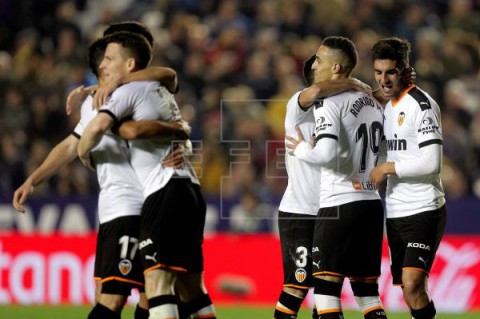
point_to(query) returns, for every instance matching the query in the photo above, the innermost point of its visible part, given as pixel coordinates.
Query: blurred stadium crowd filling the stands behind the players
(238, 63)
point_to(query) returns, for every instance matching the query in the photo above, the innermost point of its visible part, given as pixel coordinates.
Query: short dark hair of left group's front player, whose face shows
(136, 46)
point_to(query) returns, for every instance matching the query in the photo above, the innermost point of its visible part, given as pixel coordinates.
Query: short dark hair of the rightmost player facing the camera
(394, 49)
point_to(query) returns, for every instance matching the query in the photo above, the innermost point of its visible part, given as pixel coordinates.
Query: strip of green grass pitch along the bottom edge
(224, 312)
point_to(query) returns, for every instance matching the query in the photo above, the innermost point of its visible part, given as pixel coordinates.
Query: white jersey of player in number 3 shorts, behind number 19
(302, 193)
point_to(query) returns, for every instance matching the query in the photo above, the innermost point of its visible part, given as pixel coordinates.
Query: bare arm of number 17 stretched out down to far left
(60, 156)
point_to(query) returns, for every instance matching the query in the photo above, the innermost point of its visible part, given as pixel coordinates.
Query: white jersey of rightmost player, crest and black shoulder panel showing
(412, 122)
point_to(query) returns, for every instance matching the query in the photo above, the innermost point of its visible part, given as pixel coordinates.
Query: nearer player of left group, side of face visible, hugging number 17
(173, 214)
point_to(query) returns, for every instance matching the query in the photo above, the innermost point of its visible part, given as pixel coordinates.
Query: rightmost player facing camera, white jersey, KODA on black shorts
(415, 201)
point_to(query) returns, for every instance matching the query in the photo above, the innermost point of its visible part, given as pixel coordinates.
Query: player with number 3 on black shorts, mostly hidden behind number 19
(300, 202)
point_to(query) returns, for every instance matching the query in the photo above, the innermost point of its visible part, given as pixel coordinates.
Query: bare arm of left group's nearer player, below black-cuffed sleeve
(94, 131)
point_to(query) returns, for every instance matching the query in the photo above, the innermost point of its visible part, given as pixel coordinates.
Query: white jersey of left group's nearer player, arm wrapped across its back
(147, 100)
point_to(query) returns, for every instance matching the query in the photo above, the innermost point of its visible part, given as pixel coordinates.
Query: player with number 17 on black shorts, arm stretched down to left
(117, 267)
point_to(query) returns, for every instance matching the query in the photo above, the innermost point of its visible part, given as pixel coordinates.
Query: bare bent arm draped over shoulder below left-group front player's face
(166, 76)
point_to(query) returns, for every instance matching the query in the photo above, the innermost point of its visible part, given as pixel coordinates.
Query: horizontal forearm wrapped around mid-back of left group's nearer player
(150, 129)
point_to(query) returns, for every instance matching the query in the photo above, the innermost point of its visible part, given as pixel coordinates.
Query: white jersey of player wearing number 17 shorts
(120, 192)
